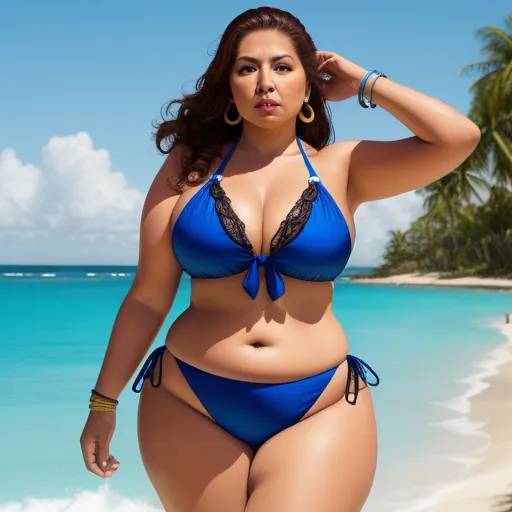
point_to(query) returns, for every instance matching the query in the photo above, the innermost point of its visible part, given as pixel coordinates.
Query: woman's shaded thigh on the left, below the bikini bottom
(193, 464)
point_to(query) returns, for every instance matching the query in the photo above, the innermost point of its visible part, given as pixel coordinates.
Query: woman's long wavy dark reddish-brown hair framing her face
(199, 122)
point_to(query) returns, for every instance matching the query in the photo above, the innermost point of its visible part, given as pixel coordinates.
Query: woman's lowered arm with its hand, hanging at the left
(140, 315)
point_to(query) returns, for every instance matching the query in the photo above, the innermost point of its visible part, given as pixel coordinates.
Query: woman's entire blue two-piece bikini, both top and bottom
(313, 243)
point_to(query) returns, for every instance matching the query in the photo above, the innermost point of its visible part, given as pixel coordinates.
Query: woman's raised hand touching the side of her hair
(345, 76)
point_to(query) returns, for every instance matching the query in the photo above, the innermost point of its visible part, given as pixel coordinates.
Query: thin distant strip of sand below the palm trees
(433, 279)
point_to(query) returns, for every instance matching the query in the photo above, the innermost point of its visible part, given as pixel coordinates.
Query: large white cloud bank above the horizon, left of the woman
(75, 207)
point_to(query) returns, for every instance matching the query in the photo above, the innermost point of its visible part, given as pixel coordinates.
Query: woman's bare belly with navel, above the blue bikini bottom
(257, 344)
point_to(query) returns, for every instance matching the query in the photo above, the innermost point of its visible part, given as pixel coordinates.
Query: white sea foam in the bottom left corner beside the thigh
(102, 500)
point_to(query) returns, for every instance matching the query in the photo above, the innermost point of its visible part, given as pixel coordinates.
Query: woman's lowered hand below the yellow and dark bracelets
(95, 442)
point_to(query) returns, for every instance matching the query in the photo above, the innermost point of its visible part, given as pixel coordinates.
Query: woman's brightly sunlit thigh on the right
(326, 462)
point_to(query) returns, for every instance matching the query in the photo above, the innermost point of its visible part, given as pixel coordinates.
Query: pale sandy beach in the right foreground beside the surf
(489, 488)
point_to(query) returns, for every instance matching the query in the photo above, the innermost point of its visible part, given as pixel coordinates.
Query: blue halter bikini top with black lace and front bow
(313, 243)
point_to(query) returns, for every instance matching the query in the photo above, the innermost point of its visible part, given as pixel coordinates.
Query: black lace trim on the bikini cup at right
(296, 219)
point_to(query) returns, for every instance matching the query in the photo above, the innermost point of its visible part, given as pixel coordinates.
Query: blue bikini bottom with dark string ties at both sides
(254, 412)
